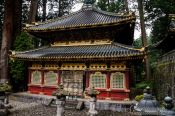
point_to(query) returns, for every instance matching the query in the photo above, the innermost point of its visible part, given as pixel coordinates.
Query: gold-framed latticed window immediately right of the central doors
(98, 80)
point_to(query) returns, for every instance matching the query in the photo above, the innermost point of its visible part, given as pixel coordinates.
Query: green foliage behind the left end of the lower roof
(18, 71)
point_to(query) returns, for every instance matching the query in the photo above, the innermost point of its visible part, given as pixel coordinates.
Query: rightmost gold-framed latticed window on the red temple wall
(117, 80)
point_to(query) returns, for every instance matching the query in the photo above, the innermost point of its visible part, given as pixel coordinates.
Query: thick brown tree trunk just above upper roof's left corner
(33, 11)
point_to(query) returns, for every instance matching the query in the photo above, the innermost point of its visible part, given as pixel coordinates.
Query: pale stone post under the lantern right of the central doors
(92, 111)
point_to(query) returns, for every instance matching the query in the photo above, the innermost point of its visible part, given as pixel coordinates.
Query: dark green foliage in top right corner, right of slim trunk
(158, 11)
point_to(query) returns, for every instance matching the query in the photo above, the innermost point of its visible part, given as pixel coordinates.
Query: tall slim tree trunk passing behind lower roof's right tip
(143, 36)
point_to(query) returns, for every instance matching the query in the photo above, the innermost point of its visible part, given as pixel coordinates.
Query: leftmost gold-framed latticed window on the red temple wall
(36, 77)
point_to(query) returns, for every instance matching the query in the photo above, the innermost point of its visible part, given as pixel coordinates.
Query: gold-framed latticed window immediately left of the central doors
(50, 78)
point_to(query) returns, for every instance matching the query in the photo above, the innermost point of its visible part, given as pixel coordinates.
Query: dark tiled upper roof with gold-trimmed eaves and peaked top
(85, 18)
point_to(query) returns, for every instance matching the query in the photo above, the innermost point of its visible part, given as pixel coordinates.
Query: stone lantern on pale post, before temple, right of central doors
(93, 94)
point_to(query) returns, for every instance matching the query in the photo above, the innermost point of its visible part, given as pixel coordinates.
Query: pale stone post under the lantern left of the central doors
(60, 107)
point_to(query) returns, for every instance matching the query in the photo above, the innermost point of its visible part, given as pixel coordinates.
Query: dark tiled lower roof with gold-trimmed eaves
(113, 51)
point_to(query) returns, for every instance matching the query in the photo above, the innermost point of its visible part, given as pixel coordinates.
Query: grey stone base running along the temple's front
(120, 106)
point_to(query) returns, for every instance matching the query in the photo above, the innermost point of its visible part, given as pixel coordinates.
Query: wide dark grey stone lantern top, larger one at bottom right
(148, 105)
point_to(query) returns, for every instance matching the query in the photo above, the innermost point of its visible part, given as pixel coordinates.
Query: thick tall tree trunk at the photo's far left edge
(6, 39)
